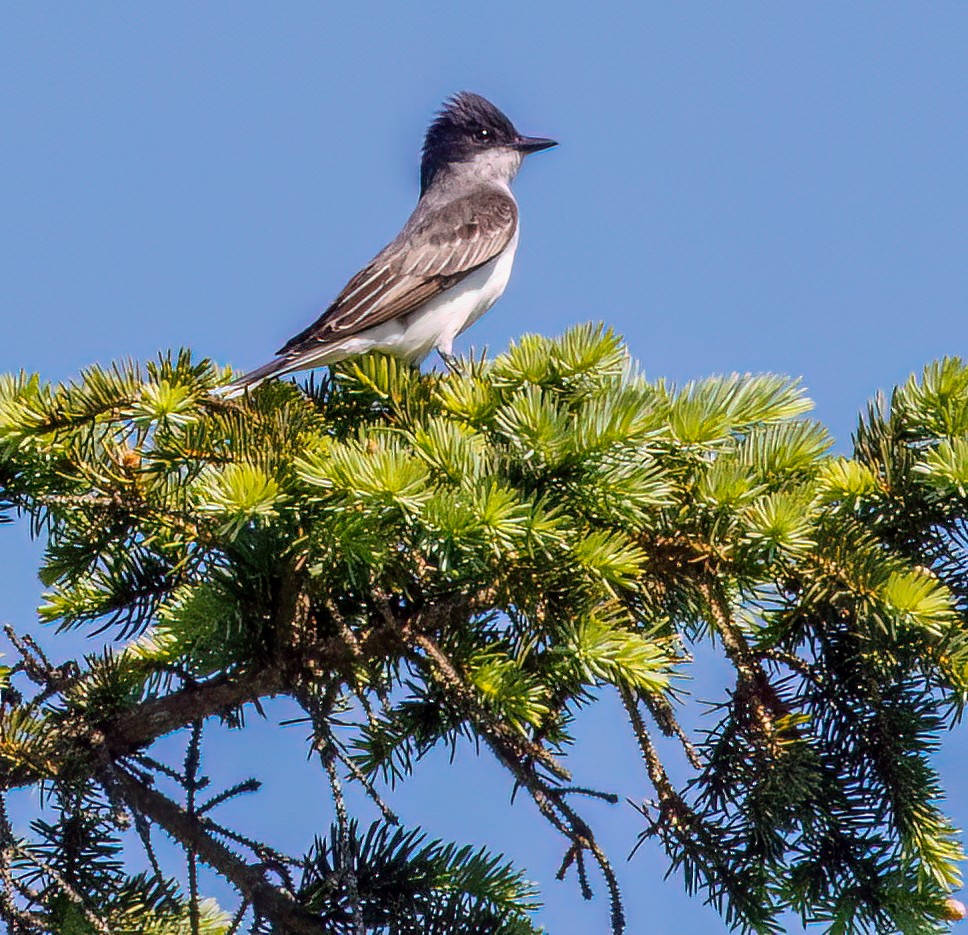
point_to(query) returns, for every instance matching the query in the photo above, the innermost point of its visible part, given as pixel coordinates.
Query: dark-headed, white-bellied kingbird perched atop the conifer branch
(449, 264)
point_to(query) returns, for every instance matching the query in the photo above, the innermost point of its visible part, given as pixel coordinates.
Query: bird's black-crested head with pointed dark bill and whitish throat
(470, 129)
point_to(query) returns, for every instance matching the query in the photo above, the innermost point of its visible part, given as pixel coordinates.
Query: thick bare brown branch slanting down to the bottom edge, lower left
(268, 900)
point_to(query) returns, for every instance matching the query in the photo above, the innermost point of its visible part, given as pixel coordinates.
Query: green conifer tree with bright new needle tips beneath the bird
(415, 558)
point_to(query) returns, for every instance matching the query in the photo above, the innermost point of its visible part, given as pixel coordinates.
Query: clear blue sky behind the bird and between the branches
(748, 186)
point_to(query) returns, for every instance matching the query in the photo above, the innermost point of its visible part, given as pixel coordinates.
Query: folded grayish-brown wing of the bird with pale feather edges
(432, 253)
